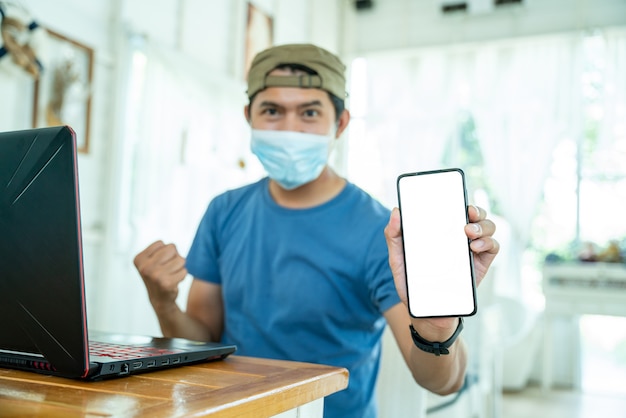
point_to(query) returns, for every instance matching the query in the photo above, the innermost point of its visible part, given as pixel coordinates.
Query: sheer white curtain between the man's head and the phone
(401, 121)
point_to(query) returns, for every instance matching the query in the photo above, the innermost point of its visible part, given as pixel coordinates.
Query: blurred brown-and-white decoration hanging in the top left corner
(21, 40)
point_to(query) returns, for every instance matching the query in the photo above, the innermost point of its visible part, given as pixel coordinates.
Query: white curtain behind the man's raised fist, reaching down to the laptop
(185, 139)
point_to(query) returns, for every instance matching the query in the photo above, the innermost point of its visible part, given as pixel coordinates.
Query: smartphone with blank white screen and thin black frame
(438, 262)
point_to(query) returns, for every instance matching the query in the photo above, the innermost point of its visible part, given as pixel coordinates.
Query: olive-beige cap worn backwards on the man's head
(329, 68)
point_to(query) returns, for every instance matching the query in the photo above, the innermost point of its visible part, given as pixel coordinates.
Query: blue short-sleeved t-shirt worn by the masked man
(302, 284)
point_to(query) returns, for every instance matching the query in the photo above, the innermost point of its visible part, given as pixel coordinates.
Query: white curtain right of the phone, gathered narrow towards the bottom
(528, 100)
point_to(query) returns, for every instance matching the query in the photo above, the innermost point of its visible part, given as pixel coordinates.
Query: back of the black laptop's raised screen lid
(41, 287)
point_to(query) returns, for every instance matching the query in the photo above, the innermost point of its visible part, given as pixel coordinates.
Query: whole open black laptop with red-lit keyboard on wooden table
(43, 323)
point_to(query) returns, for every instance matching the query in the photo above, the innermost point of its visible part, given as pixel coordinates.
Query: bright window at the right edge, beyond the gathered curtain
(584, 195)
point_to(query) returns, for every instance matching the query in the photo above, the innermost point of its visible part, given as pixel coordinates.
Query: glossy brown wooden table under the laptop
(234, 387)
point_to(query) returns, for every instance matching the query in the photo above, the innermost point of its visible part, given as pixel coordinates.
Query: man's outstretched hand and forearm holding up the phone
(439, 374)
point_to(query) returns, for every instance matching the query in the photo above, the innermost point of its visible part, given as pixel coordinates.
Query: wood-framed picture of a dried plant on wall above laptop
(63, 89)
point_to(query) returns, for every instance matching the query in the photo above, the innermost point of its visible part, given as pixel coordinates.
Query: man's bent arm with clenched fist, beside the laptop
(162, 269)
